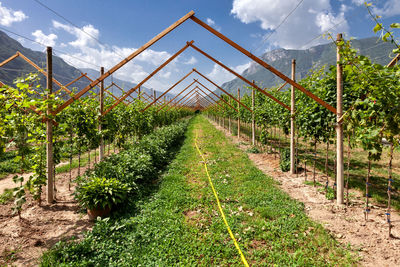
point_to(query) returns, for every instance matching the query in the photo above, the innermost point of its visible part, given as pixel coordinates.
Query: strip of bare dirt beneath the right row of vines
(346, 224)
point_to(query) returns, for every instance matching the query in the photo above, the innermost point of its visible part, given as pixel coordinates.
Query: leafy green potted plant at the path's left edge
(99, 195)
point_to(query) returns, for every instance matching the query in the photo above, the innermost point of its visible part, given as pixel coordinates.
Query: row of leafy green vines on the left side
(76, 130)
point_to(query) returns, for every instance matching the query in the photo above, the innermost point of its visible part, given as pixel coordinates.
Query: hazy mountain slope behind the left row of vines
(62, 71)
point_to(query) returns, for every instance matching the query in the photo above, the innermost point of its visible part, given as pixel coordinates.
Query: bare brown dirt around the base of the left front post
(22, 242)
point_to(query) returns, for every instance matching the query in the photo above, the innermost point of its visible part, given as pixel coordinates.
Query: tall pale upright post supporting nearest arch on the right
(339, 128)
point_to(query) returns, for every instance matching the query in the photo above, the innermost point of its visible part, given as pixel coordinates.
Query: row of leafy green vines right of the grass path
(371, 101)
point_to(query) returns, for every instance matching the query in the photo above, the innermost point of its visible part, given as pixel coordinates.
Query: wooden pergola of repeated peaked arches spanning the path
(191, 16)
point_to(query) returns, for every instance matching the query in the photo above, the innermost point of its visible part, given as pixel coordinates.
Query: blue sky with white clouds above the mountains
(123, 26)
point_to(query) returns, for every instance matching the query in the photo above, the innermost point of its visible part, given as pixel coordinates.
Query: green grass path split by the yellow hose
(179, 223)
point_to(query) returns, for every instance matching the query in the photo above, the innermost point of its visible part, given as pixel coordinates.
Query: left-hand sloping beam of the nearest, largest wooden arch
(126, 60)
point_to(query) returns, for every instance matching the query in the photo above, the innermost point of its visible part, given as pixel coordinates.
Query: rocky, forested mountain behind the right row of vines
(316, 56)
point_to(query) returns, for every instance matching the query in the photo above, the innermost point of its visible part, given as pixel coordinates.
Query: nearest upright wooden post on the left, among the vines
(49, 130)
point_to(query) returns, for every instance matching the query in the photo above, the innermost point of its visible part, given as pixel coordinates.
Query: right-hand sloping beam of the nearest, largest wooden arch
(263, 63)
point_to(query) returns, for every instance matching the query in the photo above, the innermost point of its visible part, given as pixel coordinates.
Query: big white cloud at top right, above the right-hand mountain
(310, 19)
